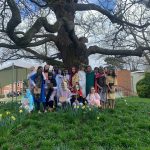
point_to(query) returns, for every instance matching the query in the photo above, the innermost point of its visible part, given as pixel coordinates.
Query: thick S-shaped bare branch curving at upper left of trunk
(27, 38)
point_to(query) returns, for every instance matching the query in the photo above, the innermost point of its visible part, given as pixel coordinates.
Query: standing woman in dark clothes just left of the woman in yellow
(103, 87)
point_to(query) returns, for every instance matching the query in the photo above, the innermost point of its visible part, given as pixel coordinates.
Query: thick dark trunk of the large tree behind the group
(73, 51)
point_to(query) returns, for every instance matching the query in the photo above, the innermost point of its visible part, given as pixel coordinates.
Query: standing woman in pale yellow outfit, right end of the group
(111, 83)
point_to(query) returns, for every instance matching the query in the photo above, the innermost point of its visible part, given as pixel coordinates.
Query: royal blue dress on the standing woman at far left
(42, 94)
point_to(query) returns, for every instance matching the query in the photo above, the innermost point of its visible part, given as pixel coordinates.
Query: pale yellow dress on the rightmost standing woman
(111, 92)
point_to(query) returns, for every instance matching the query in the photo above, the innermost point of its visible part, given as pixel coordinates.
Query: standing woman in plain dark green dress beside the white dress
(89, 79)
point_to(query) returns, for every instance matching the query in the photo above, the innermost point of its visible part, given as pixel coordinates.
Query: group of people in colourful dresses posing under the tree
(76, 87)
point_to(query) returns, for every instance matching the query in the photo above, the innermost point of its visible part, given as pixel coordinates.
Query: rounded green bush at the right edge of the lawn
(143, 86)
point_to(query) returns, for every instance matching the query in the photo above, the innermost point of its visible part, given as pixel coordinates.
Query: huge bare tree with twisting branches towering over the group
(62, 35)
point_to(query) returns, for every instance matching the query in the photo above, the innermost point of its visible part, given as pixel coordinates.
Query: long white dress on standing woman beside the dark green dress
(82, 82)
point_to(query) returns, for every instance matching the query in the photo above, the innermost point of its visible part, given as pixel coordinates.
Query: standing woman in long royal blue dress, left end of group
(38, 81)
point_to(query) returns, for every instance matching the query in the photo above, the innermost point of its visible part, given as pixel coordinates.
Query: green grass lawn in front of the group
(125, 128)
